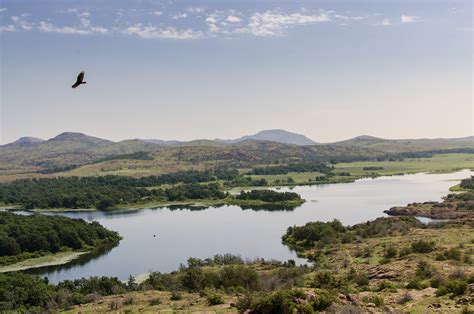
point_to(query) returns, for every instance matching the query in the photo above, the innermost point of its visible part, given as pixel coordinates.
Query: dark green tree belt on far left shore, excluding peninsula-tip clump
(97, 192)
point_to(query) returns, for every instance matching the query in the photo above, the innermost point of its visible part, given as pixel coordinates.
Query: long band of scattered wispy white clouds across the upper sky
(229, 23)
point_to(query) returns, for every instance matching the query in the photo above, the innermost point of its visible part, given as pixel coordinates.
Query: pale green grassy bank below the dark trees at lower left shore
(47, 260)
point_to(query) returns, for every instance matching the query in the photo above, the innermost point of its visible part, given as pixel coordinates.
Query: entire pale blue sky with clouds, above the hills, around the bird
(185, 70)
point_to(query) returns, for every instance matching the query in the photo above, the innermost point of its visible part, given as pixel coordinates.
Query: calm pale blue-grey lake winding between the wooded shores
(182, 233)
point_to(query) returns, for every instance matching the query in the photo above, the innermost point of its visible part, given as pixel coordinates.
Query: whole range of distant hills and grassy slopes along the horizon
(69, 150)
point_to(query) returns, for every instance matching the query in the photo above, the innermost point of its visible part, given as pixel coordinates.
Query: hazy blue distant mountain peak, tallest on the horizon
(275, 135)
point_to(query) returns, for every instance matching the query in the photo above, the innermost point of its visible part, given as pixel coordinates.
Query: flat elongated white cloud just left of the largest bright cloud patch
(150, 31)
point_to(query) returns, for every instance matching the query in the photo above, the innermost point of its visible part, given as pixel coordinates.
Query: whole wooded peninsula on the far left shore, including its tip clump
(114, 191)
